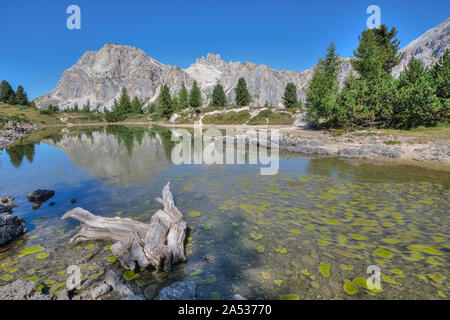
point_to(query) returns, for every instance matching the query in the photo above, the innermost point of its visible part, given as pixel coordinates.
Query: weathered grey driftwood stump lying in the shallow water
(160, 243)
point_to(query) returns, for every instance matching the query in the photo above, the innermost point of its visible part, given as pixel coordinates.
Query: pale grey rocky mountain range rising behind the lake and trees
(98, 76)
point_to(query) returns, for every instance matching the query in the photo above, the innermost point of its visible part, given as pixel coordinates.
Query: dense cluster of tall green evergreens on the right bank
(373, 97)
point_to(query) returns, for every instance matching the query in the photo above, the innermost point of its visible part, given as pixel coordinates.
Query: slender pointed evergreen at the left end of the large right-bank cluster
(323, 88)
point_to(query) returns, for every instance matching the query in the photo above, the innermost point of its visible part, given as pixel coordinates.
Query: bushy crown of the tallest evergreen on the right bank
(376, 54)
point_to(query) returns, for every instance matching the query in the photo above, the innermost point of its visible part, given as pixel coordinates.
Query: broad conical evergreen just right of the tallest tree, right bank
(417, 103)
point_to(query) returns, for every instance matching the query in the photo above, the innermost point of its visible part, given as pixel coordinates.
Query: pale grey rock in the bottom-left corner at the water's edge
(23, 290)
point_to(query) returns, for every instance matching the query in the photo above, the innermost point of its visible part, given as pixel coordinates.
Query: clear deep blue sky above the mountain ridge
(36, 47)
